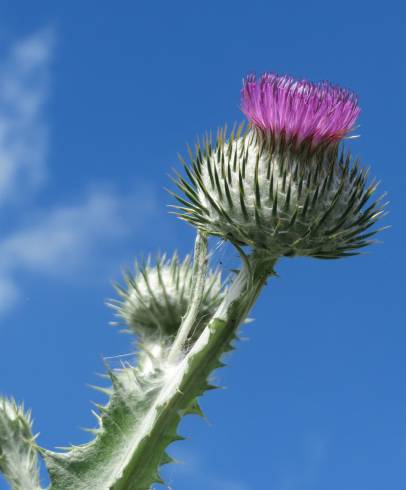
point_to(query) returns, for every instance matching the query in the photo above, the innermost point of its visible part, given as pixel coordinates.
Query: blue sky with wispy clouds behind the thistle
(96, 100)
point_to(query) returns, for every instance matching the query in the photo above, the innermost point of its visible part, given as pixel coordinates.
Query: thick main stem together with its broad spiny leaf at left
(143, 414)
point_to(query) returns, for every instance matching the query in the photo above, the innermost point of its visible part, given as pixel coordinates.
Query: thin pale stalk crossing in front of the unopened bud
(198, 283)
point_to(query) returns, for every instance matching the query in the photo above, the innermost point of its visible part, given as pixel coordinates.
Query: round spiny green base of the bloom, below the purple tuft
(279, 197)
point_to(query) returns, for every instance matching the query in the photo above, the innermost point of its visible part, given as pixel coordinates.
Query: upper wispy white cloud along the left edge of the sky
(24, 88)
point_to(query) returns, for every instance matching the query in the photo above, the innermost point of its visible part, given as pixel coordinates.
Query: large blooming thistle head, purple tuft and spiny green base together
(283, 186)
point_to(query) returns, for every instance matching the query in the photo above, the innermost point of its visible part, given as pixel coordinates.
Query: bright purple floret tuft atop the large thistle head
(298, 108)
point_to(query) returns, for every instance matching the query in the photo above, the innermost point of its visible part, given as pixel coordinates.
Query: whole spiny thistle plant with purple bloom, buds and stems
(280, 185)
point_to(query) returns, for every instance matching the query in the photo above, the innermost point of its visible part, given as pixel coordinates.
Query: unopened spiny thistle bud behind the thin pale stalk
(157, 296)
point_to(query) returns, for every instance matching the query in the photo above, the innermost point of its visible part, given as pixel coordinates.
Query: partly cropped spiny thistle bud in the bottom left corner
(18, 455)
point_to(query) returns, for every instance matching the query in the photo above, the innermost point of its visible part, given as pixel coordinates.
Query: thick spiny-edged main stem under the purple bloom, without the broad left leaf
(188, 379)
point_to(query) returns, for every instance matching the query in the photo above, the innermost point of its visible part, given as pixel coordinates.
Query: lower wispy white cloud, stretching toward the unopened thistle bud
(71, 238)
